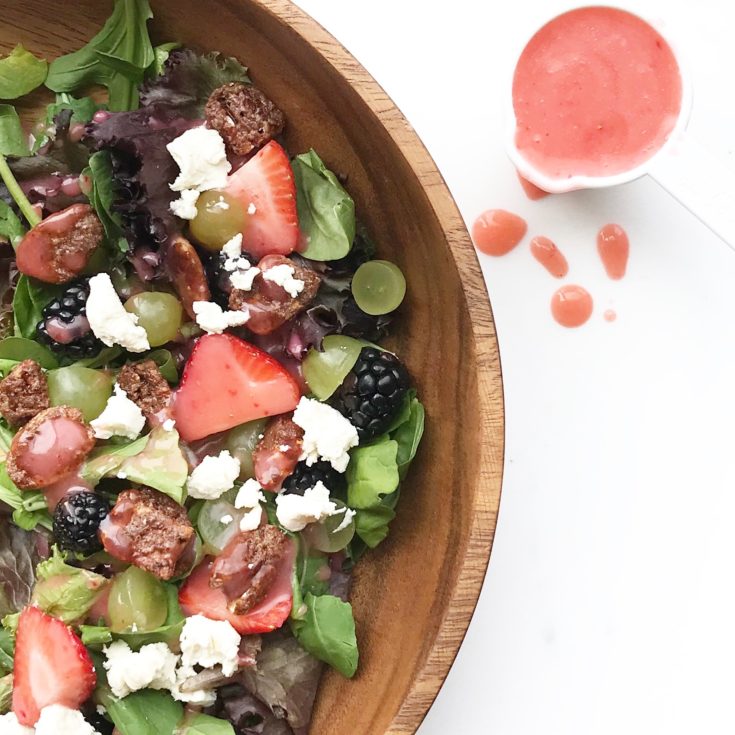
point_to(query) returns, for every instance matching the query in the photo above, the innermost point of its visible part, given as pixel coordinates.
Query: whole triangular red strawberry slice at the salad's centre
(227, 382)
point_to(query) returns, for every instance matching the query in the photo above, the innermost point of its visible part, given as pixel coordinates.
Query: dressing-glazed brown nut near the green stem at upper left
(58, 248)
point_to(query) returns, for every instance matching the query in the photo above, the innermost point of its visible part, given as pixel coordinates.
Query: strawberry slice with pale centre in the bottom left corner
(52, 666)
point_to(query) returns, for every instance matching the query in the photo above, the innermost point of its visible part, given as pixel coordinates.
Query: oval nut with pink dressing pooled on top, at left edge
(50, 446)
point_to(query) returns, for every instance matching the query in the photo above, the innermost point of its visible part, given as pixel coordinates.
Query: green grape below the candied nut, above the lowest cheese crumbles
(137, 599)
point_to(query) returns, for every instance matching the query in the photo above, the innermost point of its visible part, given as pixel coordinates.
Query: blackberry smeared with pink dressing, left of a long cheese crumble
(64, 327)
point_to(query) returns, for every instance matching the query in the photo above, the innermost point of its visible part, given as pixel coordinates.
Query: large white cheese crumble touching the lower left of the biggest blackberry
(327, 433)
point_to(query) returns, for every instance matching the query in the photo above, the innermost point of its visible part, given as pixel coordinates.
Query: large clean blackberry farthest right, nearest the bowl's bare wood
(372, 393)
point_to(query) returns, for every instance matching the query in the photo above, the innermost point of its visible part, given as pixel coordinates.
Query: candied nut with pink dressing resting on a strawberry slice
(248, 566)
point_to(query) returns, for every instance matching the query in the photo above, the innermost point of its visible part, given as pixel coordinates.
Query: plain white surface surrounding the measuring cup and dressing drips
(609, 605)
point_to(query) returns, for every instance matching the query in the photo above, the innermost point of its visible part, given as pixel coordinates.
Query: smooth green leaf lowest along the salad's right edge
(327, 632)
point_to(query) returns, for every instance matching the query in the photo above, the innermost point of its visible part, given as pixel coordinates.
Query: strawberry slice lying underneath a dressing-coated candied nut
(197, 597)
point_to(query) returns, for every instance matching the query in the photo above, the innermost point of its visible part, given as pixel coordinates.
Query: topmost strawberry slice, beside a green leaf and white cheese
(266, 182)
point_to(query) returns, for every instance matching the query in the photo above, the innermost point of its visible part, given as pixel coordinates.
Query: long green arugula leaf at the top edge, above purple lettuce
(117, 57)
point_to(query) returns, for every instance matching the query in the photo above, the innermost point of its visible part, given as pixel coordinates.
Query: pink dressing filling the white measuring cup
(596, 92)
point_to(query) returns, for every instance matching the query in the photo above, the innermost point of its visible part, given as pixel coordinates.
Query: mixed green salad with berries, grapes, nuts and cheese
(200, 434)
